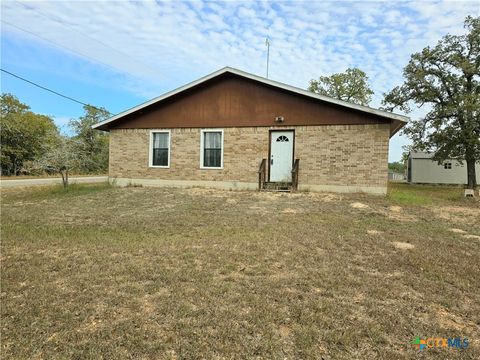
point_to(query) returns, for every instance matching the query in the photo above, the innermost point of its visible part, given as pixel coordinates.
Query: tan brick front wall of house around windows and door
(342, 155)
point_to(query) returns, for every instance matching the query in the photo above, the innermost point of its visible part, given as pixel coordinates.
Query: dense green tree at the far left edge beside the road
(23, 134)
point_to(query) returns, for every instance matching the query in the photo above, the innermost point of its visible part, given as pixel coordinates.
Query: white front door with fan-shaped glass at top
(281, 156)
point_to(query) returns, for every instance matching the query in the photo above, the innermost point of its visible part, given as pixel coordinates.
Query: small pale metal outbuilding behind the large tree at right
(421, 169)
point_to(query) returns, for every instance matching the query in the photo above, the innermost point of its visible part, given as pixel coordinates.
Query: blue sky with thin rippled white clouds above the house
(117, 54)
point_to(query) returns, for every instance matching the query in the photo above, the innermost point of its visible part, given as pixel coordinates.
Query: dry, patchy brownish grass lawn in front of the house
(155, 273)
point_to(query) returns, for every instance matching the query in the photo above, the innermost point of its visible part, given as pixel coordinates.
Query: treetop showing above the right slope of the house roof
(351, 86)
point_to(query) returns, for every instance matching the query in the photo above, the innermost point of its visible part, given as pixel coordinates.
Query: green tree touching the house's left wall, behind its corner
(91, 145)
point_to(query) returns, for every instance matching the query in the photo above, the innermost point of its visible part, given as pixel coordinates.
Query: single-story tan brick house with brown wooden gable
(236, 130)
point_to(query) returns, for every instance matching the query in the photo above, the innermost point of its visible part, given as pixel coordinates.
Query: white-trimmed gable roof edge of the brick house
(399, 120)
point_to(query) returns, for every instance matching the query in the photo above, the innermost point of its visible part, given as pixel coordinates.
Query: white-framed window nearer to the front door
(211, 149)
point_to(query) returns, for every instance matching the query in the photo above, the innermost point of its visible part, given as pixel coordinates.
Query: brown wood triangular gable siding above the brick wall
(231, 101)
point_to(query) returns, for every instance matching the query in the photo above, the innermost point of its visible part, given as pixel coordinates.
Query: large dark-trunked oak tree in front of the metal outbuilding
(447, 78)
